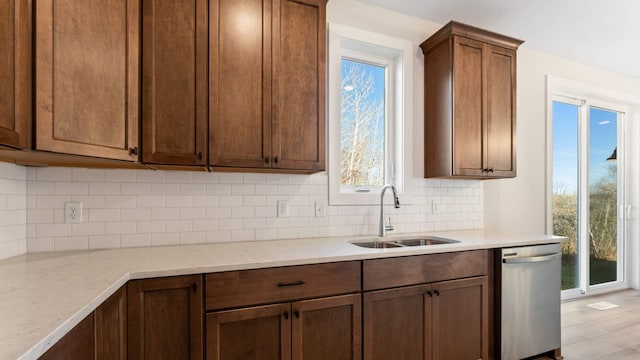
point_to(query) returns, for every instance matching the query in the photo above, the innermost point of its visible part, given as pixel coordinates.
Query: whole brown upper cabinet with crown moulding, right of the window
(470, 103)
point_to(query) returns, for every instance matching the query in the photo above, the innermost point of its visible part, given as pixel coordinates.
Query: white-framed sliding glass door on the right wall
(588, 194)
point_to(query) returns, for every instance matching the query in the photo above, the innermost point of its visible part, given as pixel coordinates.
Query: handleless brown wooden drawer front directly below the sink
(412, 270)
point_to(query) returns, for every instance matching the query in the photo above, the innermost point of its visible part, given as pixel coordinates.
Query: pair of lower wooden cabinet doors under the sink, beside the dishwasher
(443, 320)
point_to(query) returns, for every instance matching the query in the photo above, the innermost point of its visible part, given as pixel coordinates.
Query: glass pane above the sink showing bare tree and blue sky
(362, 125)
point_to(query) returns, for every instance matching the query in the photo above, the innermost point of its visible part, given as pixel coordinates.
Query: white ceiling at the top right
(601, 33)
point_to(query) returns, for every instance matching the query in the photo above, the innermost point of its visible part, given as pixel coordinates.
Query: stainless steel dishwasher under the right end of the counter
(530, 300)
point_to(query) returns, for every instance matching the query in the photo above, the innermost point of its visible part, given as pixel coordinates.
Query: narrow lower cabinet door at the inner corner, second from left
(111, 327)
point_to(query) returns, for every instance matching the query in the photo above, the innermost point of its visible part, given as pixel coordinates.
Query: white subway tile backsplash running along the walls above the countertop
(131, 208)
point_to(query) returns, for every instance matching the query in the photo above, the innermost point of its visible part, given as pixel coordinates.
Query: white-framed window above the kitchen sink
(369, 75)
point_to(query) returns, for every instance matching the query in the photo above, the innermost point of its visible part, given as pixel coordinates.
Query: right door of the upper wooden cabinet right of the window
(501, 111)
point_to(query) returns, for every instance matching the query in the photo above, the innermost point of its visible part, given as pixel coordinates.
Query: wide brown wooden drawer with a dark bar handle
(263, 286)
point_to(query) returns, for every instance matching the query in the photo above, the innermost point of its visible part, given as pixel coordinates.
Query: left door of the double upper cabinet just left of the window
(240, 83)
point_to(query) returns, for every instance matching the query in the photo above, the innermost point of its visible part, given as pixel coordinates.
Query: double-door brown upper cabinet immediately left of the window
(267, 84)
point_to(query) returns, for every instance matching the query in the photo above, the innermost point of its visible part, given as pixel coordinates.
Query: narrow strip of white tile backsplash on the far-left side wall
(13, 213)
